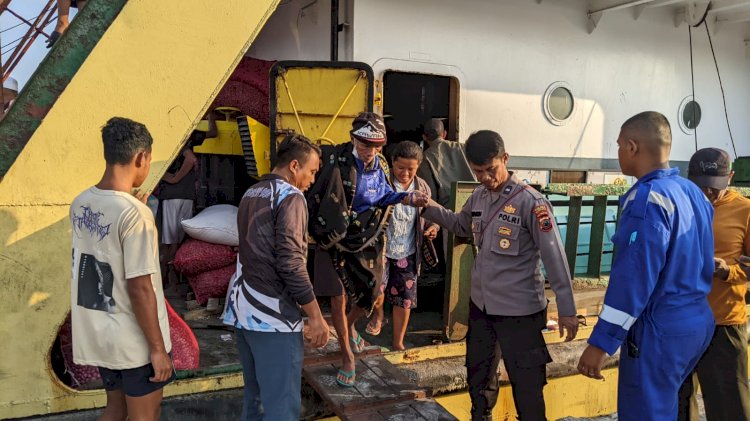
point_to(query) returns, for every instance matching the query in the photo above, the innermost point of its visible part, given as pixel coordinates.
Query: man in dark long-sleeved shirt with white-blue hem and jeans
(265, 299)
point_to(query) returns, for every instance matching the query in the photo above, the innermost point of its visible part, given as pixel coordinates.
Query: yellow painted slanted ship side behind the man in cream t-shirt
(161, 63)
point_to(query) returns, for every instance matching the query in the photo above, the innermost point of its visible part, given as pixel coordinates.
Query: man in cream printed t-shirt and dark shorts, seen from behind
(117, 304)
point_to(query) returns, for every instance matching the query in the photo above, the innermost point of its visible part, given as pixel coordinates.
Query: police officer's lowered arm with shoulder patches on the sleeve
(546, 237)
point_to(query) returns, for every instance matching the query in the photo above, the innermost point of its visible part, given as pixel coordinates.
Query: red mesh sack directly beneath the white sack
(195, 257)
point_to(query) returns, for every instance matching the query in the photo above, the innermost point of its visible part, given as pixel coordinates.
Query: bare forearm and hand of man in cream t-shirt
(142, 298)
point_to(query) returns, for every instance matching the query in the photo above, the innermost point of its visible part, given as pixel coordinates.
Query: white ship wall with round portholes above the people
(506, 53)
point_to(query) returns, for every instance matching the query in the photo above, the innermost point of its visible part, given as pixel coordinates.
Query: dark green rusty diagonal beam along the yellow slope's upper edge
(52, 76)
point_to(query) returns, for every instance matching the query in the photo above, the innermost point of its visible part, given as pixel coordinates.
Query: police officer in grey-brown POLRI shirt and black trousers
(515, 231)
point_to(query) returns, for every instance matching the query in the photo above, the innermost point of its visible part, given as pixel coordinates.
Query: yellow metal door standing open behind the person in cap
(318, 99)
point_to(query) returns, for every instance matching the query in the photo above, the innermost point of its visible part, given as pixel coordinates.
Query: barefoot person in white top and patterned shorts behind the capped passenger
(405, 234)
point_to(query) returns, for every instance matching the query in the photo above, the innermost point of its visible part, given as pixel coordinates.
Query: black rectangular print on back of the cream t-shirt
(95, 281)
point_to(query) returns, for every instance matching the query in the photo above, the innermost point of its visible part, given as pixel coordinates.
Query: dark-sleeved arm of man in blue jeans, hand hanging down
(291, 255)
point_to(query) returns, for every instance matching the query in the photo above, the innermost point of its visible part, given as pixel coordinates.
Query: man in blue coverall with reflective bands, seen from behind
(655, 305)
